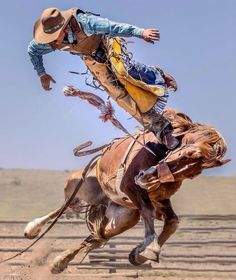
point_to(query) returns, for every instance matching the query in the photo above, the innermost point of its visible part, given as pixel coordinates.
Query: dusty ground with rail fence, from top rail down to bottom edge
(202, 248)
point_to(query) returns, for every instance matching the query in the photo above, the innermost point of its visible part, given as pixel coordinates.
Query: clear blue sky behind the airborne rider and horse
(198, 43)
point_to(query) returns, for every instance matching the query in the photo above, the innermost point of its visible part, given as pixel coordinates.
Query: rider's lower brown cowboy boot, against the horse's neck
(162, 128)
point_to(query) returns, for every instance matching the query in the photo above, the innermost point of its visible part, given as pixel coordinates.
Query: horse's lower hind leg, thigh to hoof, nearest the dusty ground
(103, 224)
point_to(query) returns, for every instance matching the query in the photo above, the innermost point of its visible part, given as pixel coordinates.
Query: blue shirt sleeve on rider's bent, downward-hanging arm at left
(36, 52)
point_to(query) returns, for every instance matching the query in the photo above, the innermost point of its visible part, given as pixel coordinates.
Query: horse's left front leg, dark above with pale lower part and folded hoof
(150, 248)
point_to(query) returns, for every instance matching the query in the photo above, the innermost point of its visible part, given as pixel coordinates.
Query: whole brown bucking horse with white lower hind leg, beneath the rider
(129, 182)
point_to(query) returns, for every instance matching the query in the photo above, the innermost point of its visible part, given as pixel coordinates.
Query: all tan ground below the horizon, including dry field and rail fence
(204, 247)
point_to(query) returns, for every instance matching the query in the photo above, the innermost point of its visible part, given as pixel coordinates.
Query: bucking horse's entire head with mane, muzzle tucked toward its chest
(201, 147)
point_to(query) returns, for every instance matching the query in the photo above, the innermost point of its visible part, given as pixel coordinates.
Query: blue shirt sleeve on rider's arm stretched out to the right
(94, 24)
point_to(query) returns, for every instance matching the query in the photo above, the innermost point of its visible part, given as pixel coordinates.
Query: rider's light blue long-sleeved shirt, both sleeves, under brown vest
(90, 24)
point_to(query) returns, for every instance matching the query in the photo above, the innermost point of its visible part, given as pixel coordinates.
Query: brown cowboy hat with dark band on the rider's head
(52, 21)
